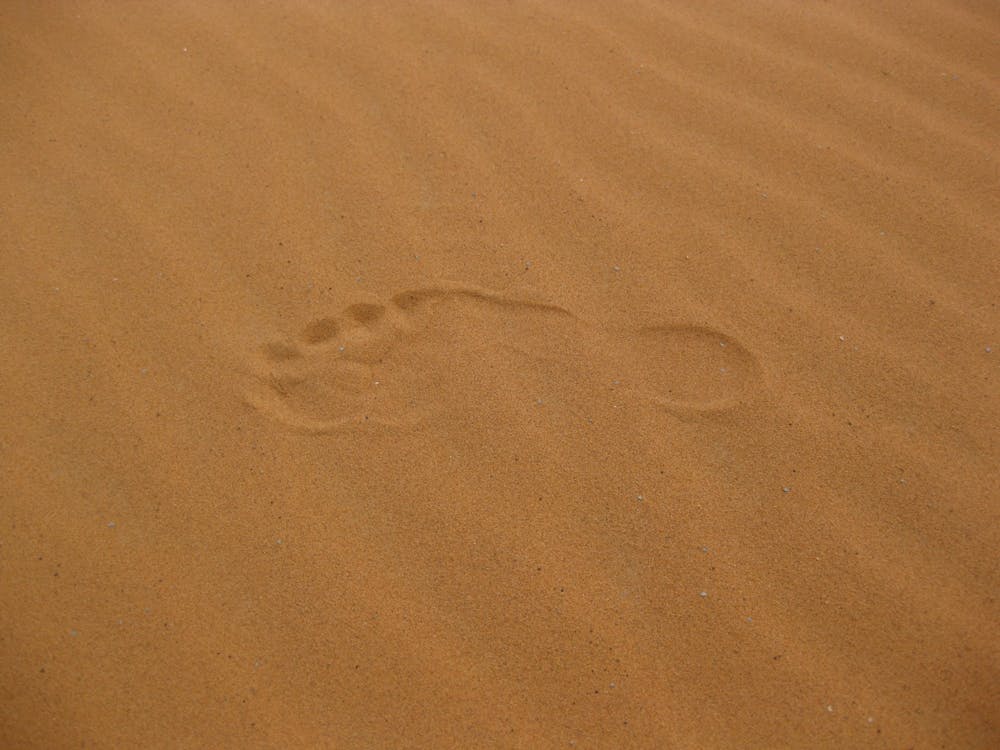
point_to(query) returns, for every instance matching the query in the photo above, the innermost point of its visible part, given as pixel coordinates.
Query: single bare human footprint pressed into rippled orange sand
(389, 364)
